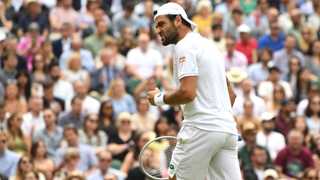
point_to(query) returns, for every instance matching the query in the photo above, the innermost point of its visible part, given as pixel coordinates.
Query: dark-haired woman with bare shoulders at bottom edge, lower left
(40, 159)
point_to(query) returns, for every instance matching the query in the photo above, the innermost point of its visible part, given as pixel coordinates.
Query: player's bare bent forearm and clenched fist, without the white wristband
(185, 94)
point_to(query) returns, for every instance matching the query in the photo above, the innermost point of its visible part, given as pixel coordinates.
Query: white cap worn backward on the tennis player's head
(173, 9)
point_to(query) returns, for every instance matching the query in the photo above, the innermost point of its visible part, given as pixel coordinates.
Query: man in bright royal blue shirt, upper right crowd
(274, 40)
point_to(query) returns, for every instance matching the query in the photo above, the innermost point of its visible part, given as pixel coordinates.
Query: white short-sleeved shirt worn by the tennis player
(211, 109)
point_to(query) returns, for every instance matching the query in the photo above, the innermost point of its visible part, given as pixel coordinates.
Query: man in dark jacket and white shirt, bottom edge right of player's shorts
(259, 163)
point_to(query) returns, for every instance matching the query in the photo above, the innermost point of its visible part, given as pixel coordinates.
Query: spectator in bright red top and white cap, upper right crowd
(246, 44)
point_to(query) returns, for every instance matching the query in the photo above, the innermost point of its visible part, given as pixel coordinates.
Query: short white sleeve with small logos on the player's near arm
(186, 63)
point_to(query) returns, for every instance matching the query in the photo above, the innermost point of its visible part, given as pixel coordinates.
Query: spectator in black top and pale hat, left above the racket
(122, 141)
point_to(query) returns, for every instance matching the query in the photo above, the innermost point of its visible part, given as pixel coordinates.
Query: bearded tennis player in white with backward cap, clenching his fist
(207, 140)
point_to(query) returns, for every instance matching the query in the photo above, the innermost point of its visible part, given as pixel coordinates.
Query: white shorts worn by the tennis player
(205, 155)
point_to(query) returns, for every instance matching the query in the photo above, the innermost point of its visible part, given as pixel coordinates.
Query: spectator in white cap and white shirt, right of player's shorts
(268, 137)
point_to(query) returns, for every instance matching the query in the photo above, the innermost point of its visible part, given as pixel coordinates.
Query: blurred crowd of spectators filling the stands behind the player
(74, 75)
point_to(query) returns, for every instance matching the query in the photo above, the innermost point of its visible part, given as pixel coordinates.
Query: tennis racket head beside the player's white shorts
(155, 156)
